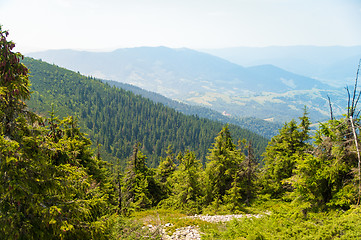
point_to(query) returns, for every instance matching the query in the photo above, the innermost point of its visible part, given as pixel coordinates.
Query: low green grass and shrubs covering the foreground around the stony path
(286, 221)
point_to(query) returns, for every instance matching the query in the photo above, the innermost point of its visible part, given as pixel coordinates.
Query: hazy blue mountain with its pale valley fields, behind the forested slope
(192, 77)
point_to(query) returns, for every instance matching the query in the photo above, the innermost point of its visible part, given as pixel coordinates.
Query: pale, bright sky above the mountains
(100, 25)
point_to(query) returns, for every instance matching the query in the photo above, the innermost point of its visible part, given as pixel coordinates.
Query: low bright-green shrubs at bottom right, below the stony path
(285, 222)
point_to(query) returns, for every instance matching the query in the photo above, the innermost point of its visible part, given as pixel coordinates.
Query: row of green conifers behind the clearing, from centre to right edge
(316, 176)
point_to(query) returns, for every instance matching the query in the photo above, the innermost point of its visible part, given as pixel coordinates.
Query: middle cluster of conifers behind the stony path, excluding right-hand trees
(227, 181)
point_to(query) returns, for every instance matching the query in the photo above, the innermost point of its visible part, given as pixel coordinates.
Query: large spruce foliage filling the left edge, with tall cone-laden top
(51, 185)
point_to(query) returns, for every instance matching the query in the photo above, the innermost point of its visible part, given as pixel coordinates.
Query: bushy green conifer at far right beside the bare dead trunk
(326, 177)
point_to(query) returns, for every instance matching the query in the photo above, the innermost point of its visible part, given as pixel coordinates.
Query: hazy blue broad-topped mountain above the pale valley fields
(174, 72)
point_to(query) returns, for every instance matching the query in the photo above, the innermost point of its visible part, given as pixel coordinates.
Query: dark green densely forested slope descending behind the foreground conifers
(117, 119)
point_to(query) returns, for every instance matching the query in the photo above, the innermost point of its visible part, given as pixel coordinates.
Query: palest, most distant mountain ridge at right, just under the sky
(334, 65)
